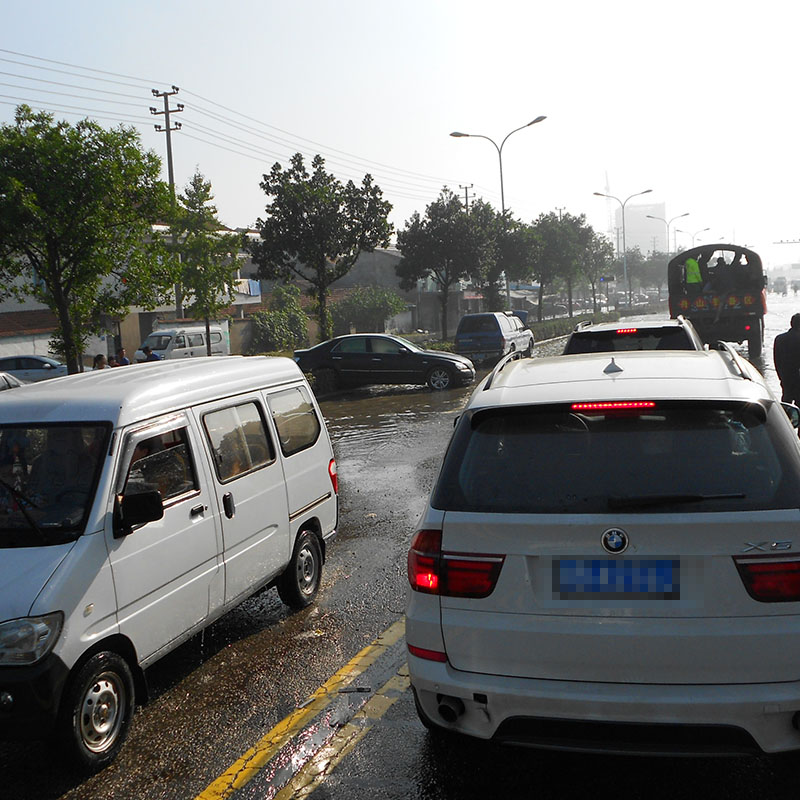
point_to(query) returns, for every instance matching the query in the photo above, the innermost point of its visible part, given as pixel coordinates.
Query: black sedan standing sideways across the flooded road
(367, 358)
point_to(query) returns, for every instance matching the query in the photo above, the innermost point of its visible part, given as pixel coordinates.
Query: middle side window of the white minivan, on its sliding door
(239, 440)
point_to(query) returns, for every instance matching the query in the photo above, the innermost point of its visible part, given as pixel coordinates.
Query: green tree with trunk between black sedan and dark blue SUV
(442, 245)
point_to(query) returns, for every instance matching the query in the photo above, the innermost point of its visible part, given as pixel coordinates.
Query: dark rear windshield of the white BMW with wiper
(674, 457)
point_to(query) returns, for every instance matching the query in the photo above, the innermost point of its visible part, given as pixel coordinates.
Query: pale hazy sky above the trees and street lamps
(697, 101)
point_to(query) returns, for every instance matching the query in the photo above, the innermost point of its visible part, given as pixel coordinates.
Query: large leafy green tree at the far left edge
(77, 203)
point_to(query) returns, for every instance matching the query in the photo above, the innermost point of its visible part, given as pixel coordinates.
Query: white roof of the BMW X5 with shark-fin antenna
(623, 375)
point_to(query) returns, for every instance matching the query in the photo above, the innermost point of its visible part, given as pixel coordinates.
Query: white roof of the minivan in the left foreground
(135, 393)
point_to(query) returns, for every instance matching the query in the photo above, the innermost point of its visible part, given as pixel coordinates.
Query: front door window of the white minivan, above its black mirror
(164, 463)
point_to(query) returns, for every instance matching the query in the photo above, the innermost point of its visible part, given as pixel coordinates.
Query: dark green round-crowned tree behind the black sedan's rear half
(315, 228)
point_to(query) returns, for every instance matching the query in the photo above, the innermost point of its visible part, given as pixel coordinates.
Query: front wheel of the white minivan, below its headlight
(96, 711)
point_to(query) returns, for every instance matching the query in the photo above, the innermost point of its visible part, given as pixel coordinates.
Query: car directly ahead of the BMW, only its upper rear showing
(671, 334)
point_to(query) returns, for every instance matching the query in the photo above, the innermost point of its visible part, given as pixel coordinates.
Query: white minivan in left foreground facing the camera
(137, 506)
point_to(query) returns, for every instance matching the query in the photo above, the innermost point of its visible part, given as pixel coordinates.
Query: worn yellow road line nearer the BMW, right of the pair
(345, 739)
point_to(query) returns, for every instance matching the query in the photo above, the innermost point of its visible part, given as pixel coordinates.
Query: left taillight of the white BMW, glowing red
(432, 571)
